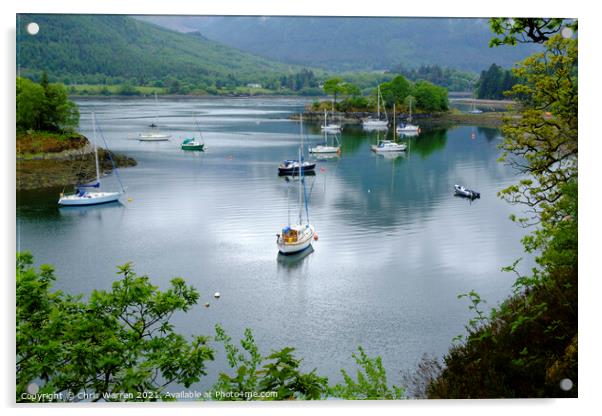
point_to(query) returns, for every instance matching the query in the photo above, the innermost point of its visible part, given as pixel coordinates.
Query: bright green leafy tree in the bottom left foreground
(118, 342)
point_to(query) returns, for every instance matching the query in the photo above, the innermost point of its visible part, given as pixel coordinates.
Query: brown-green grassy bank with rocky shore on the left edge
(50, 160)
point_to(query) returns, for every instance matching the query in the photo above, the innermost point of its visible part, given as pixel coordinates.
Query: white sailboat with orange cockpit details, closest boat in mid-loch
(297, 237)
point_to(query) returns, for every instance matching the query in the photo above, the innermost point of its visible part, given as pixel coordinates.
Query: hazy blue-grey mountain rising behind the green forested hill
(357, 43)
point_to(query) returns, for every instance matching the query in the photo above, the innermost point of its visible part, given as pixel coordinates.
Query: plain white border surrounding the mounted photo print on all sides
(589, 380)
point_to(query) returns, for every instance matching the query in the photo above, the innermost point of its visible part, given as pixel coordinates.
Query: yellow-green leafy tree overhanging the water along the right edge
(542, 143)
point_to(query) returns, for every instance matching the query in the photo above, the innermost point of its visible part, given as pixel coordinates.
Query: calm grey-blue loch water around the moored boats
(395, 245)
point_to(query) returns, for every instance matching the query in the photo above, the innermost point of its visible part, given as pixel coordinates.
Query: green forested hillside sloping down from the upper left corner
(96, 48)
